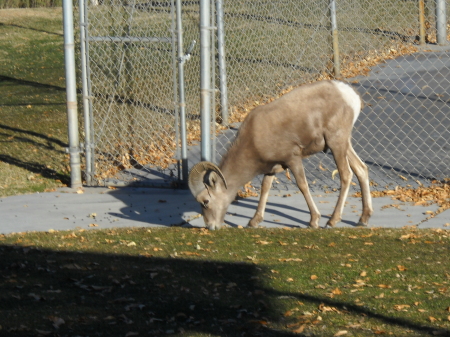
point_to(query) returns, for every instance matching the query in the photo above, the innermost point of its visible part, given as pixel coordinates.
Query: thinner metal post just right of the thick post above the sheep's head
(222, 63)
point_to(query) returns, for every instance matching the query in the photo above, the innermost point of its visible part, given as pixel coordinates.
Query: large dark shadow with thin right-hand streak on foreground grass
(118, 295)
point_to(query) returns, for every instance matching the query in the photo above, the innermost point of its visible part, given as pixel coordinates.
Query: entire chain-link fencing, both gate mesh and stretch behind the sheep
(270, 47)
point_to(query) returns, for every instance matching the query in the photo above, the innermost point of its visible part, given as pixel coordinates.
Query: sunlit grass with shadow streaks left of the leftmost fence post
(33, 122)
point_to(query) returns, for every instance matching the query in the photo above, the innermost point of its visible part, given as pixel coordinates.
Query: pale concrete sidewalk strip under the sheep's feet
(142, 207)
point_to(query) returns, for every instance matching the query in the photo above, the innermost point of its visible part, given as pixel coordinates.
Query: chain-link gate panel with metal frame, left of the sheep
(129, 62)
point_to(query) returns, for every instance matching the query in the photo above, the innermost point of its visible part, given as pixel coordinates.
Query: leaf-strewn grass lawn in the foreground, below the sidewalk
(232, 282)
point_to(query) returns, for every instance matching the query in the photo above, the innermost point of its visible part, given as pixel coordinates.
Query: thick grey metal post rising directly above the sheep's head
(205, 79)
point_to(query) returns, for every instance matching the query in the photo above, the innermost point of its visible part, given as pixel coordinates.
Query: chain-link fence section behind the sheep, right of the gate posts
(403, 134)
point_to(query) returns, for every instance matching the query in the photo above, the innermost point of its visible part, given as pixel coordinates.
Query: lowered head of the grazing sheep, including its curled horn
(209, 188)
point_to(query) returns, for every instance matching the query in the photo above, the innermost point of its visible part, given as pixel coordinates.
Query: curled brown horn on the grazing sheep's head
(203, 175)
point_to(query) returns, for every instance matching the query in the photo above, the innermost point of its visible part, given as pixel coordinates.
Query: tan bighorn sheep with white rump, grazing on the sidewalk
(273, 137)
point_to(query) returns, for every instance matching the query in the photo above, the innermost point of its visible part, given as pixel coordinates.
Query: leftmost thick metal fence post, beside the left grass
(71, 95)
